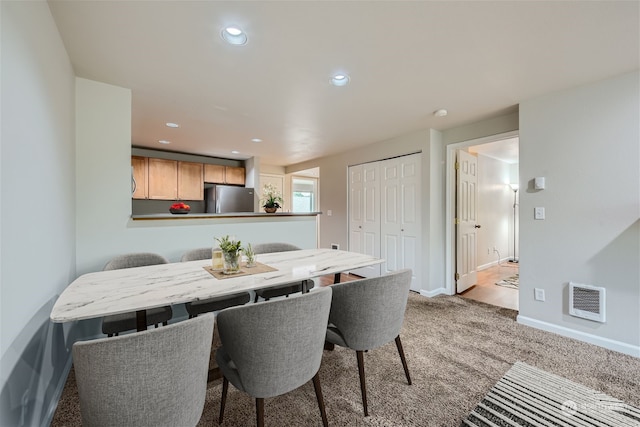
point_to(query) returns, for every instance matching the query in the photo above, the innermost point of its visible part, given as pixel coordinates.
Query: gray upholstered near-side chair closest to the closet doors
(368, 313)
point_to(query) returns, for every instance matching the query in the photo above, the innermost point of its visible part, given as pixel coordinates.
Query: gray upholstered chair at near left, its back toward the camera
(150, 378)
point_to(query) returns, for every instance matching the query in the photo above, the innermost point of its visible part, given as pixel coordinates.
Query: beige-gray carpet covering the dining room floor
(456, 348)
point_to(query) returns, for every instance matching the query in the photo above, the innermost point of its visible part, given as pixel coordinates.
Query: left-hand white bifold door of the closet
(364, 214)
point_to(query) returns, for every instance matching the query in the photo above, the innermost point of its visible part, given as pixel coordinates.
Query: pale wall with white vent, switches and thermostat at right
(585, 141)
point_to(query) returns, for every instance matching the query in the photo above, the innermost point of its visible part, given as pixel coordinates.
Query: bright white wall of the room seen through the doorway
(495, 211)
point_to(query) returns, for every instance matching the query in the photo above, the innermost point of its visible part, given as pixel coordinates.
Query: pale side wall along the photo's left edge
(38, 210)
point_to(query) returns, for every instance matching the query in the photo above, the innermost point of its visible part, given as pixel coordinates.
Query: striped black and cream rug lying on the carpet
(527, 396)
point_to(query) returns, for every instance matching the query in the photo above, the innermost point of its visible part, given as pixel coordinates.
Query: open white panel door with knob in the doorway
(466, 217)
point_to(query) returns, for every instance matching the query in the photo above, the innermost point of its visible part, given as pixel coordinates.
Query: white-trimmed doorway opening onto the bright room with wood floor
(495, 244)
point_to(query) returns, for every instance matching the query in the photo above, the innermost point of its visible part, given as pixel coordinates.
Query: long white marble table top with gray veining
(119, 291)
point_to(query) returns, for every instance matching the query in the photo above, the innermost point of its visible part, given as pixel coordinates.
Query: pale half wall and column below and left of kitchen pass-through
(104, 226)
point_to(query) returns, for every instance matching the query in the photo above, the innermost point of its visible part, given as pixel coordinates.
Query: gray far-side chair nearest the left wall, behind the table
(114, 324)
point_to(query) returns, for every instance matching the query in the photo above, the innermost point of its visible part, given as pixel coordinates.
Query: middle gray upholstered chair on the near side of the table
(273, 347)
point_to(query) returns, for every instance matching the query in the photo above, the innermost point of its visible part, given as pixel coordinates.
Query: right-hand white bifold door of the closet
(400, 216)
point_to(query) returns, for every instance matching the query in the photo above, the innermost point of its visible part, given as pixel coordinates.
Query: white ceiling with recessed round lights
(477, 59)
